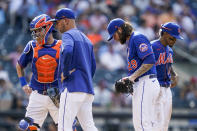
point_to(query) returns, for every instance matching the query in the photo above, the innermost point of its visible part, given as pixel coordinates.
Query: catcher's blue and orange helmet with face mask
(41, 27)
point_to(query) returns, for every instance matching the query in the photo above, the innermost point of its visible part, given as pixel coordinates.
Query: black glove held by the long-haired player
(124, 86)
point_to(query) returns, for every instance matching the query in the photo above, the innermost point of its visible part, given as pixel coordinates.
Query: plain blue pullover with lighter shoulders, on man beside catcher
(77, 62)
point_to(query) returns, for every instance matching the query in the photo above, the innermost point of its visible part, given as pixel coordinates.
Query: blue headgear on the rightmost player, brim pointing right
(173, 29)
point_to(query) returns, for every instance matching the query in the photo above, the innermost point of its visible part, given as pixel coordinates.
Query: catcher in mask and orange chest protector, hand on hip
(43, 54)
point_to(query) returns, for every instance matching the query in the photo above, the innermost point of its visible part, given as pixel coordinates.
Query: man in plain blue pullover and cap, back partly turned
(76, 69)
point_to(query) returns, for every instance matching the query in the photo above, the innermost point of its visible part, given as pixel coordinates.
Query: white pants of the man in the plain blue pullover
(76, 104)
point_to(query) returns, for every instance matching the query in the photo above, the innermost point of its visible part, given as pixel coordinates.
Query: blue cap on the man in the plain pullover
(64, 13)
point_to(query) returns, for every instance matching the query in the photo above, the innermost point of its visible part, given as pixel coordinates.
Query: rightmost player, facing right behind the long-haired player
(166, 76)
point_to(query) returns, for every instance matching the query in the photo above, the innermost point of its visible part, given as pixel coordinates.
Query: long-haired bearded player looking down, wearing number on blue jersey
(141, 71)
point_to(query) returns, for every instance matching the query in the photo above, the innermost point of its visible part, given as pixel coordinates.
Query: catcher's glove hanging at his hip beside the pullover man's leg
(53, 93)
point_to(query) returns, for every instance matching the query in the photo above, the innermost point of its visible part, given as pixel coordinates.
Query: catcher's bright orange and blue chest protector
(45, 63)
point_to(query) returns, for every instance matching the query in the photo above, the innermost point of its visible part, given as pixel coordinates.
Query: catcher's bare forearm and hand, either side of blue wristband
(20, 72)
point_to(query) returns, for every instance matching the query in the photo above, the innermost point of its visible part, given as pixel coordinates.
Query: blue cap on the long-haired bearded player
(113, 27)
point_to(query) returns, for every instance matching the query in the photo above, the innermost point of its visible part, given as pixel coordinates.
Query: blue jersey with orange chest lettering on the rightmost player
(164, 60)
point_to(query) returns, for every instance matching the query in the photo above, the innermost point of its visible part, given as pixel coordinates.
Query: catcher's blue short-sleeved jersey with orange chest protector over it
(33, 55)
